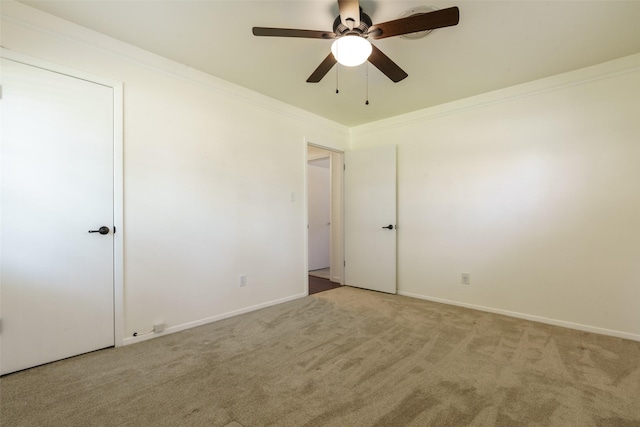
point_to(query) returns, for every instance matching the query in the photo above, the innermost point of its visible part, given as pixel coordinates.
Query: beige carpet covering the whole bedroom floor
(345, 357)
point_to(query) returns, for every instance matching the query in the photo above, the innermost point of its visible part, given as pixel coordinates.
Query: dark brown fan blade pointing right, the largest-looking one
(412, 24)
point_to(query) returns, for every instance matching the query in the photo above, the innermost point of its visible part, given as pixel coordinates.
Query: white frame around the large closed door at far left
(118, 175)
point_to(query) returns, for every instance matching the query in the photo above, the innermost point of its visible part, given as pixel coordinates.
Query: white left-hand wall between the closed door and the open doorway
(209, 171)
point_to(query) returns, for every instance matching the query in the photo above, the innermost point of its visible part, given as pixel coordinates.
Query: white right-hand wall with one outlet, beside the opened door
(534, 191)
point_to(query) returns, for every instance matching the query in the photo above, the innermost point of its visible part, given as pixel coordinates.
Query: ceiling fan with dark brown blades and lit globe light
(354, 27)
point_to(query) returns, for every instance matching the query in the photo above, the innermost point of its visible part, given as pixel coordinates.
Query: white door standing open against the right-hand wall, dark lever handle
(370, 218)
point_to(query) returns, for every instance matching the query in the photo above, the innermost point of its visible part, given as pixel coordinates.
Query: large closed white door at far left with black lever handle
(57, 184)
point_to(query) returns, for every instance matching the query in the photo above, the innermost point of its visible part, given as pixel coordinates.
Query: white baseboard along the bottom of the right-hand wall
(533, 318)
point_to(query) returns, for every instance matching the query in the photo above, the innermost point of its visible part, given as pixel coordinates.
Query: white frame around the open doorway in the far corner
(307, 143)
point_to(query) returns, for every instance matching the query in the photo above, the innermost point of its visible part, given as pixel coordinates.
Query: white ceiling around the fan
(496, 44)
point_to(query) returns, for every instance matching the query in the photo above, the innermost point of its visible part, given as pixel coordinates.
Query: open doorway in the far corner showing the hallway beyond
(324, 226)
